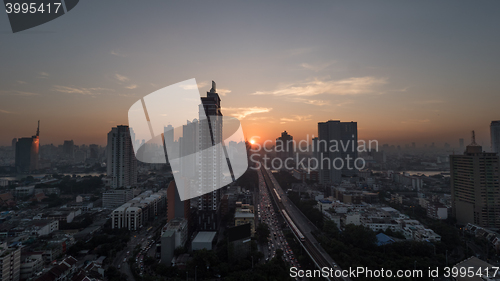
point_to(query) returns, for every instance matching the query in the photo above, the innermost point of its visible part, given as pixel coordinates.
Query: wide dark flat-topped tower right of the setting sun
(338, 150)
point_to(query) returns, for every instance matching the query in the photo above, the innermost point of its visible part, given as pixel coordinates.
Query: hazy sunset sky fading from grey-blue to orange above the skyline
(422, 71)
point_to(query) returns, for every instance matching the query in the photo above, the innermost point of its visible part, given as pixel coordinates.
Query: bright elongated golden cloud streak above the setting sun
(349, 86)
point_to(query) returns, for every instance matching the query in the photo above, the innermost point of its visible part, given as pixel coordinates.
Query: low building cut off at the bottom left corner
(10, 263)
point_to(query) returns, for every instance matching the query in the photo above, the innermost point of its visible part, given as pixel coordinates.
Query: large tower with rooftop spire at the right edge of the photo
(475, 189)
